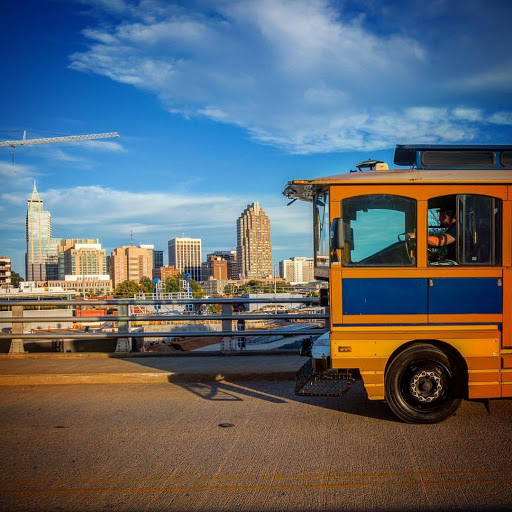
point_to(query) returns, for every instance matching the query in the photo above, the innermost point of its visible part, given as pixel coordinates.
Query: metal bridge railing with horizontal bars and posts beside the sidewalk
(20, 311)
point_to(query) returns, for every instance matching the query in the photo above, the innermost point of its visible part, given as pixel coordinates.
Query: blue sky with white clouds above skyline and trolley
(220, 103)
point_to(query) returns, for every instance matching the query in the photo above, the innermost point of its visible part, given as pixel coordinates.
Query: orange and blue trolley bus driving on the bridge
(419, 264)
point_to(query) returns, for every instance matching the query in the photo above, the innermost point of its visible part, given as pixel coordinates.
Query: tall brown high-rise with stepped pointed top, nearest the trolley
(253, 251)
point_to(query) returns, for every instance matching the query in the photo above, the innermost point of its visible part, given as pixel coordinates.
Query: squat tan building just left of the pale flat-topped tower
(130, 263)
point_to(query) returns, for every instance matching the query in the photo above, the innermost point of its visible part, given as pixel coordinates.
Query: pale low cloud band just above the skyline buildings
(162, 215)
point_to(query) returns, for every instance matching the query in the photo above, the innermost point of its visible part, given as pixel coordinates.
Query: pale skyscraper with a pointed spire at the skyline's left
(42, 256)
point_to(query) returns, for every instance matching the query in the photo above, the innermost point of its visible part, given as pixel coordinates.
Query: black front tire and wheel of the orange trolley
(422, 385)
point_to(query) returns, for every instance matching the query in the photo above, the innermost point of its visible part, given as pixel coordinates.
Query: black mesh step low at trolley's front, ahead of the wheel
(329, 383)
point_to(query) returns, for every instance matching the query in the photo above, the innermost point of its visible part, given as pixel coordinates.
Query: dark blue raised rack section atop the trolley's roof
(443, 156)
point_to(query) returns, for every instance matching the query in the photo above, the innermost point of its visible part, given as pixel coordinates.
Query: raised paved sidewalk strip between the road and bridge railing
(102, 369)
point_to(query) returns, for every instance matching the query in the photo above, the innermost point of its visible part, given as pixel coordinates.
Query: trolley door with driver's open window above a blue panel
(464, 257)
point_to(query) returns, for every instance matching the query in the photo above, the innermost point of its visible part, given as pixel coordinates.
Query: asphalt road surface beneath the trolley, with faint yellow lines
(245, 446)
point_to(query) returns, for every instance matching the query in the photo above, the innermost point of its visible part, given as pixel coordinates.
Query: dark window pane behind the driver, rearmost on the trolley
(479, 230)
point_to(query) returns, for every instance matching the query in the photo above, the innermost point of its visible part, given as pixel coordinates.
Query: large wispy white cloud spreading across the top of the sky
(301, 75)
